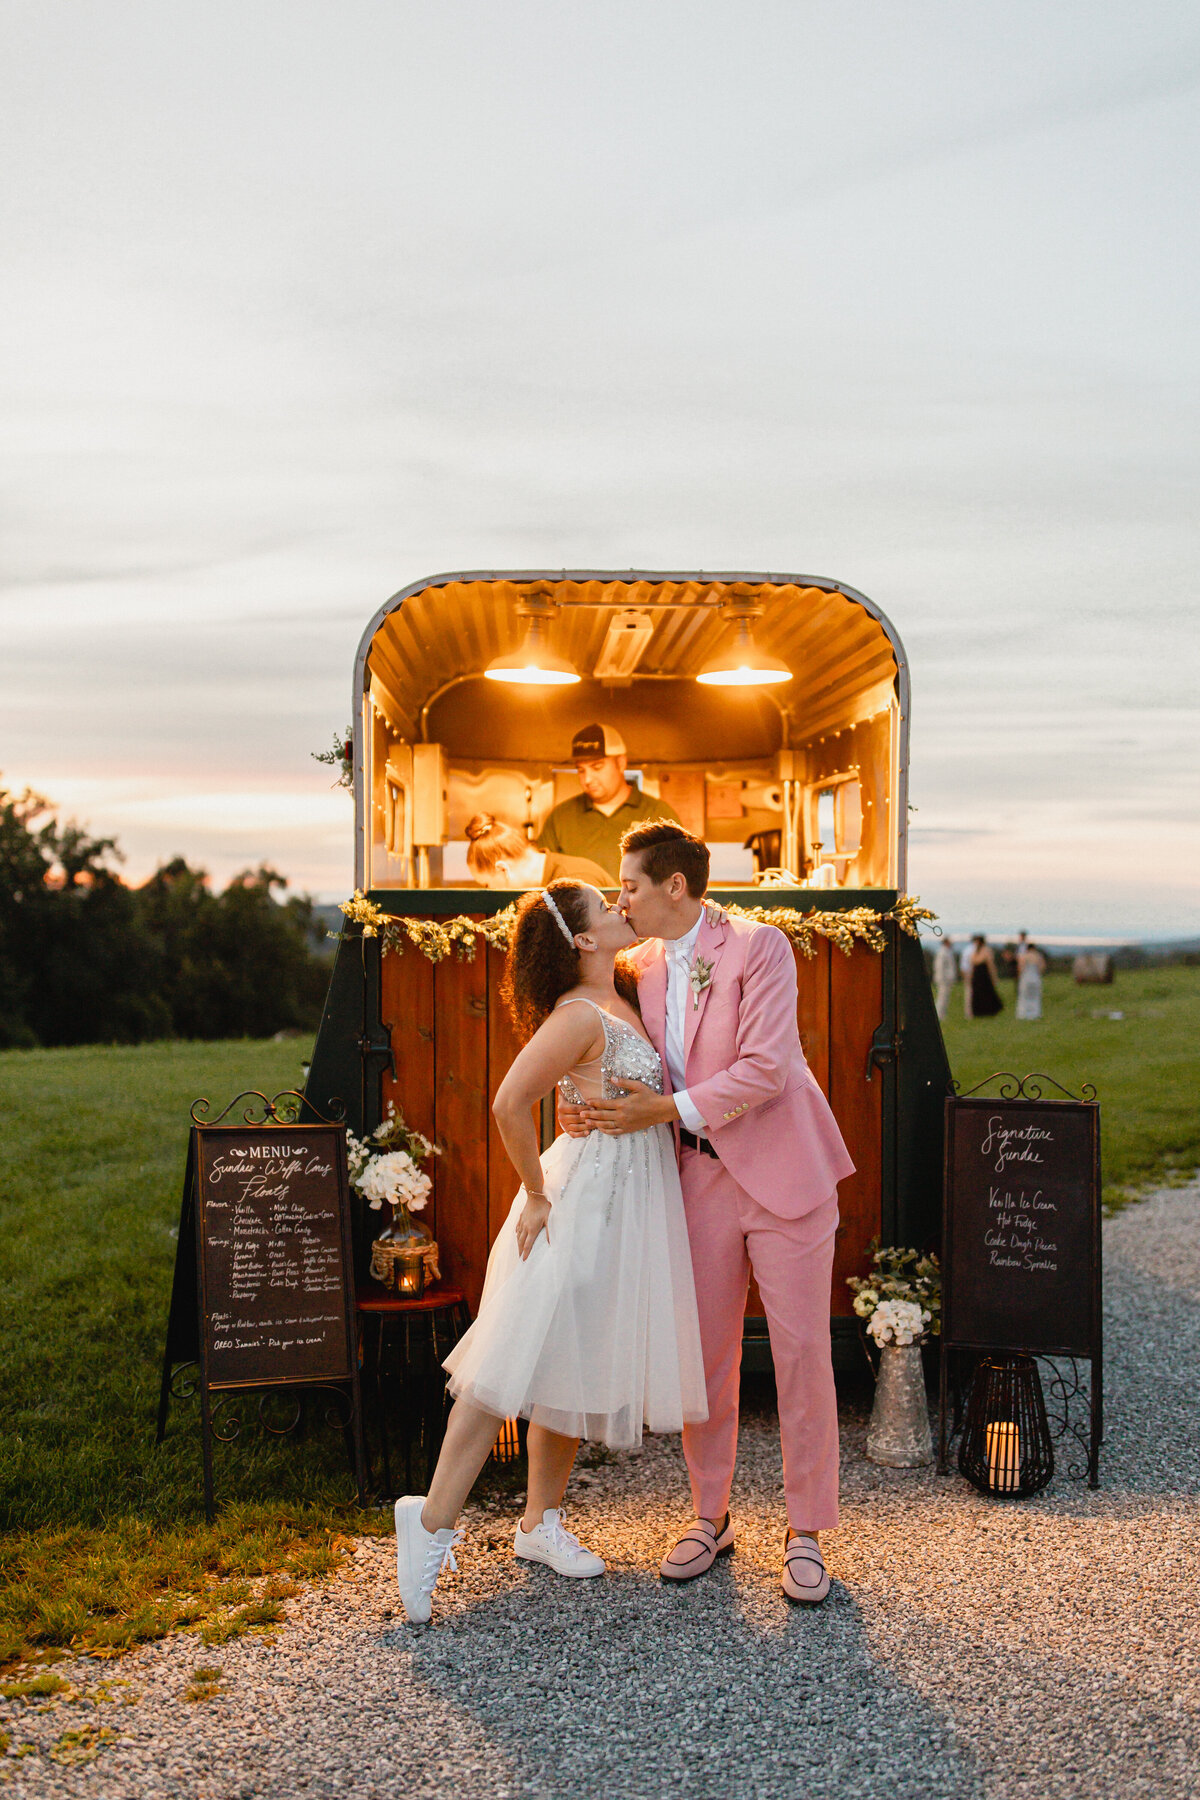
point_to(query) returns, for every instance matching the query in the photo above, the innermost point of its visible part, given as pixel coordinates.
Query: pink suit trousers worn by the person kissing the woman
(793, 1263)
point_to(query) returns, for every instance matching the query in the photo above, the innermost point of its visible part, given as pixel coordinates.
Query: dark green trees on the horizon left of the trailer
(85, 958)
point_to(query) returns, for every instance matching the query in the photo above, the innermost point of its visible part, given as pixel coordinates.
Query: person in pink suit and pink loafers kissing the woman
(760, 1164)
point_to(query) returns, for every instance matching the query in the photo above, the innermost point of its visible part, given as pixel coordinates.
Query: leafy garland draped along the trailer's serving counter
(438, 939)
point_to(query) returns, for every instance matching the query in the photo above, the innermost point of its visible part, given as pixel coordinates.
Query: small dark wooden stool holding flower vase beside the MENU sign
(416, 1335)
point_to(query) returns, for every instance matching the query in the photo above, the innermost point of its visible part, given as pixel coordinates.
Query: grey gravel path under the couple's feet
(969, 1648)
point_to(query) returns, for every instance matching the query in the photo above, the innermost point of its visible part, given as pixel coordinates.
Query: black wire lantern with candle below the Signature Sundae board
(1007, 1439)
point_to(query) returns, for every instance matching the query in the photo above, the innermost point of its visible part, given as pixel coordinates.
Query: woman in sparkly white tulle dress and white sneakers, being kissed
(587, 1326)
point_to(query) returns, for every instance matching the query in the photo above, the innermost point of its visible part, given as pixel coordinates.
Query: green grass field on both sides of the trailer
(105, 1538)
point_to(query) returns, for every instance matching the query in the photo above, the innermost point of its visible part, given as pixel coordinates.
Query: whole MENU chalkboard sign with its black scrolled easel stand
(264, 1290)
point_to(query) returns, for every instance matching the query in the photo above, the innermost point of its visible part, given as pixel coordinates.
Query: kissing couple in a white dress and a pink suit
(695, 1149)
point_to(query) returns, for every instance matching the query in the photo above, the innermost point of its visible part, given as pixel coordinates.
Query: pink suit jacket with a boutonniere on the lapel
(748, 1077)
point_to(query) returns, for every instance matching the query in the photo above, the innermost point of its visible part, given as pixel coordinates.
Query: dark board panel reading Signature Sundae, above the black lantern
(1021, 1243)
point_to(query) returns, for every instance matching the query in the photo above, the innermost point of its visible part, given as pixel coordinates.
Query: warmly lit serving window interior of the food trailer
(800, 773)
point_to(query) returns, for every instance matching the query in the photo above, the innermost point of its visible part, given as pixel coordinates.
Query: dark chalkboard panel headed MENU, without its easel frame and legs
(274, 1254)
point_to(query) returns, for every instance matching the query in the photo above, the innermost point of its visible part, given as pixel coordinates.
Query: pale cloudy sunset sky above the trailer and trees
(305, 303)
